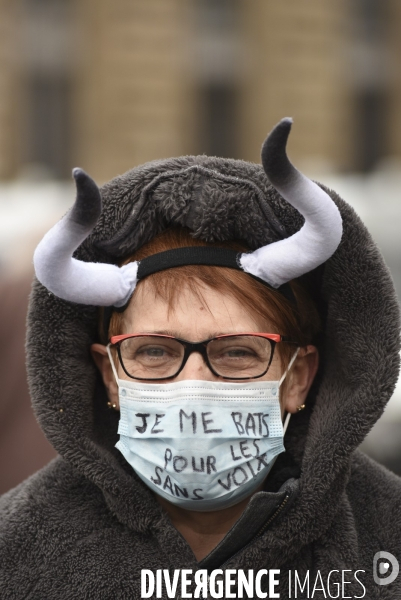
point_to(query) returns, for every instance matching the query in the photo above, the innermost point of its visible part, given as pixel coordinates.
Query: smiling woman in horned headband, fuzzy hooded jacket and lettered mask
(210, 350)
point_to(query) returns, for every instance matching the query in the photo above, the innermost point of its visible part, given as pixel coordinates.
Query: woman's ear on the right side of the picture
(300, 378)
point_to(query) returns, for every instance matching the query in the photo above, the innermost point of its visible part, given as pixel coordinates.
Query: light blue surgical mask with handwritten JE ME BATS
(202, 445)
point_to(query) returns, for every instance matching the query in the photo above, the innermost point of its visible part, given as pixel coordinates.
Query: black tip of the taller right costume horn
(274, 157)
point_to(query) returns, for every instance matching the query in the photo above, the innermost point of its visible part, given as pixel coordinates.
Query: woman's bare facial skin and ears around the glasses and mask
(195, 319)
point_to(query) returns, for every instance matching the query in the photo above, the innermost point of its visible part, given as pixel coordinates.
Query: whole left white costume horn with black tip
(99, 284)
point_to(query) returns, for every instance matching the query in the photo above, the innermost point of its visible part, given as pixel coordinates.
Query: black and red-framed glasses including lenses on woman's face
(155, 357)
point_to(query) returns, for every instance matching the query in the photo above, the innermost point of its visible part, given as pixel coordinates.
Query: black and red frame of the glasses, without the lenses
(201, 347)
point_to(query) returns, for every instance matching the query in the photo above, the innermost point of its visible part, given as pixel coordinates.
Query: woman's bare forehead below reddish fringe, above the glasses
(193, 316)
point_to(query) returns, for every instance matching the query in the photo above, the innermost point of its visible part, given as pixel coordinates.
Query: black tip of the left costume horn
(88, 204)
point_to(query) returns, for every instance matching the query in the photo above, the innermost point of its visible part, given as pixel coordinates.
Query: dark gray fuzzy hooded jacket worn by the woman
(85, 526)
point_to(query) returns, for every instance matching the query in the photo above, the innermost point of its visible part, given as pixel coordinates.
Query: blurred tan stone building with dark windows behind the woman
(109, 85)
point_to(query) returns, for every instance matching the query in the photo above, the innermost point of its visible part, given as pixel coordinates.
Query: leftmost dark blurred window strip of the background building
(47, 67)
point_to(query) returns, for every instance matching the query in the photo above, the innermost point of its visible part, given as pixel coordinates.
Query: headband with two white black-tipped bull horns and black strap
(102, 284)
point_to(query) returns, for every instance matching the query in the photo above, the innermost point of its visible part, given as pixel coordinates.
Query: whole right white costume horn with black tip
(318, 238)
